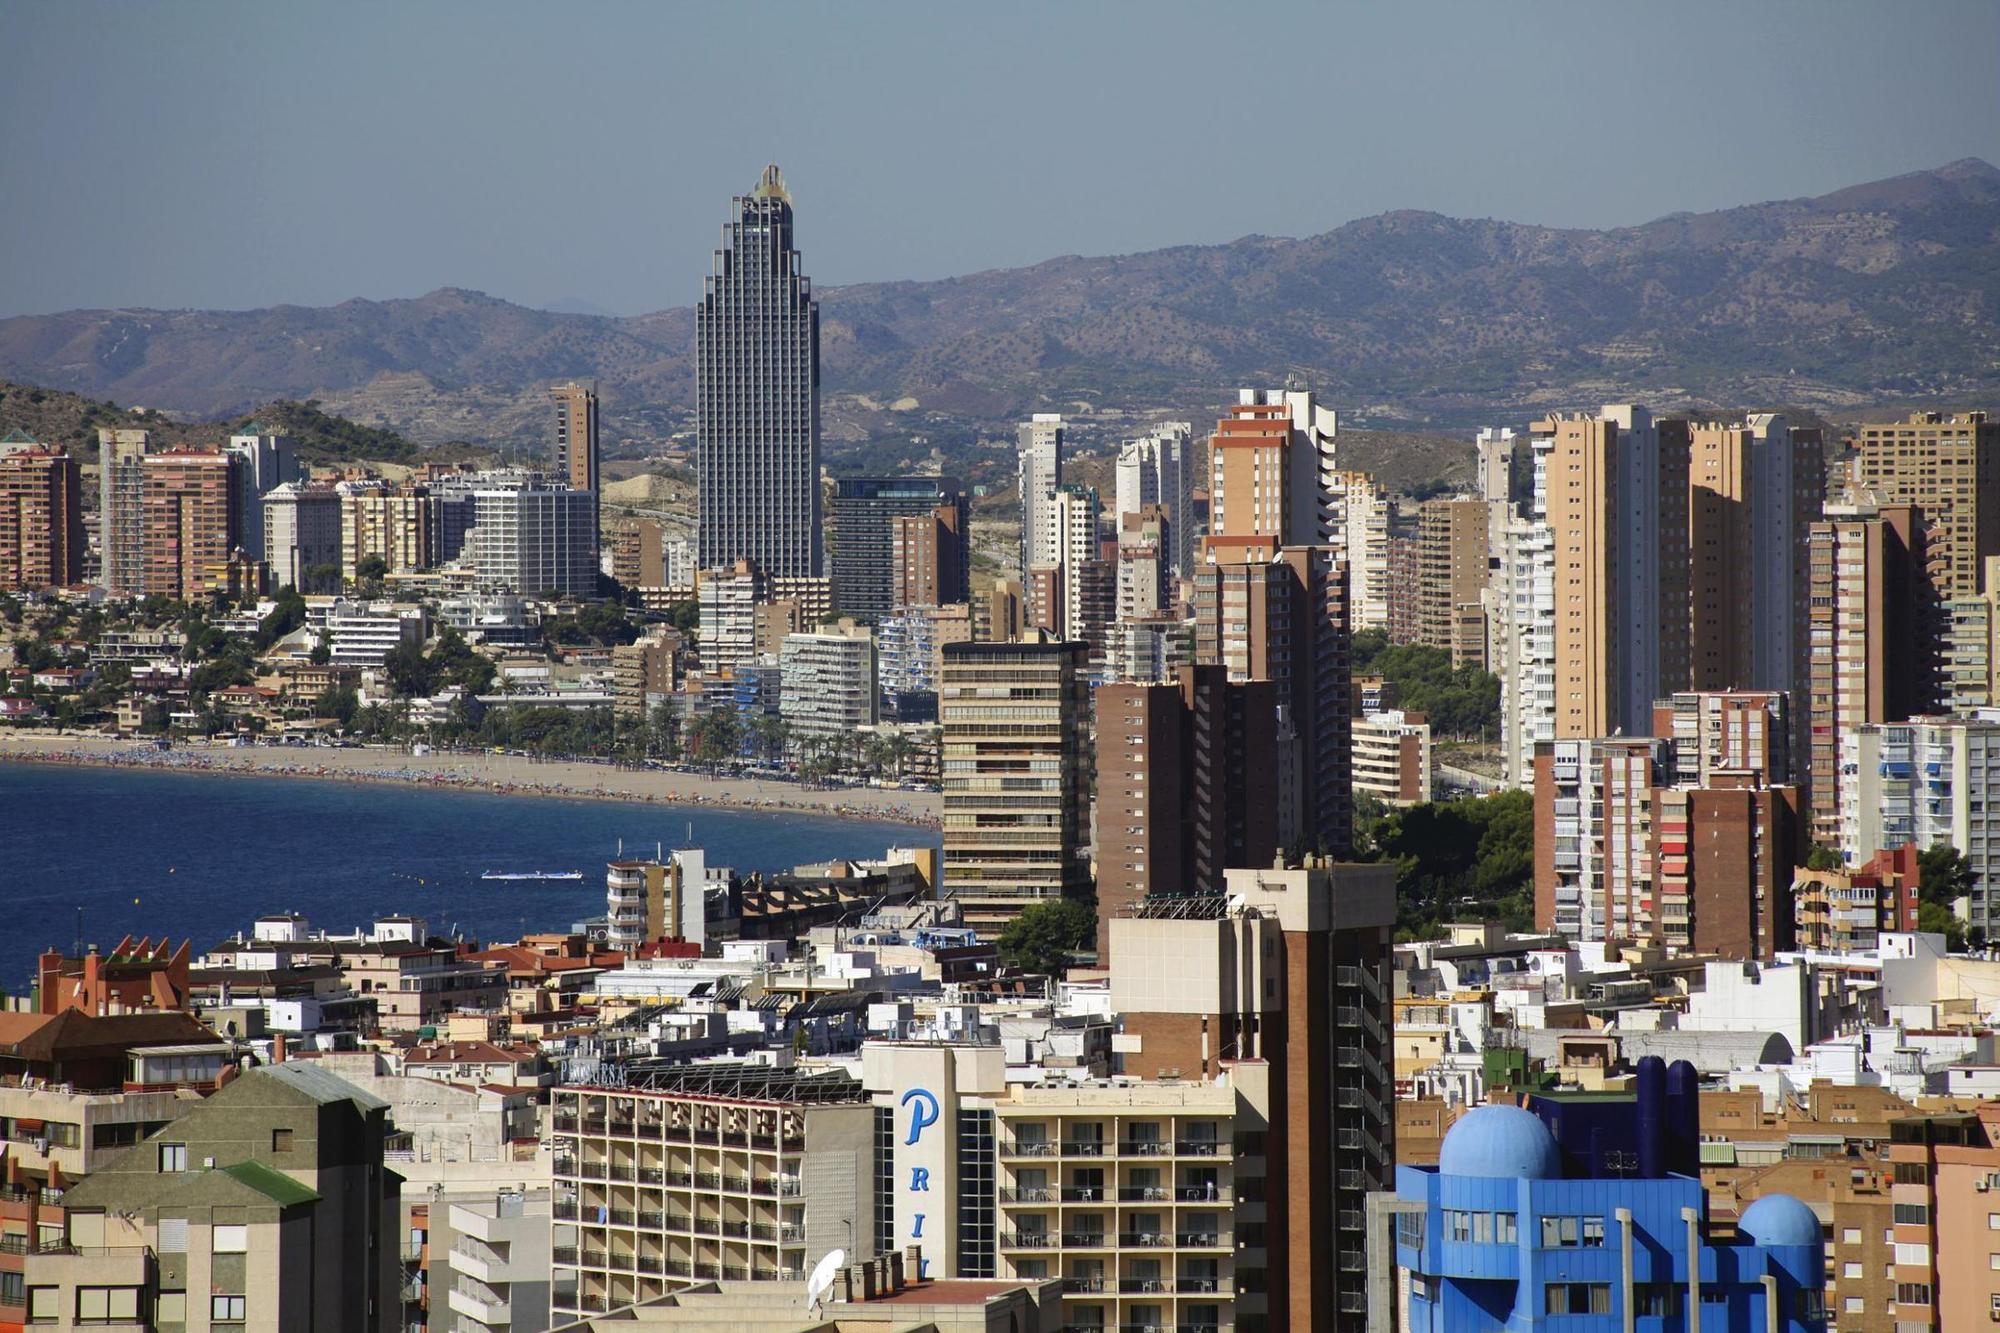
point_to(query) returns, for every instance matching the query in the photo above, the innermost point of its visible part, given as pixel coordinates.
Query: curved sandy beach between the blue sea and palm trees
(481, 772)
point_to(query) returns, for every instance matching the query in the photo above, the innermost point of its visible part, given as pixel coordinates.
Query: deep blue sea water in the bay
(101, 854)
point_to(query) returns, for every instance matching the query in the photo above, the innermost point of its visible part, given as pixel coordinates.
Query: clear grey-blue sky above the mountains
(227, 155)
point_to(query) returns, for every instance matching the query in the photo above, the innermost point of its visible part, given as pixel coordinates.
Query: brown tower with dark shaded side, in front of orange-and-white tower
(1287, 621)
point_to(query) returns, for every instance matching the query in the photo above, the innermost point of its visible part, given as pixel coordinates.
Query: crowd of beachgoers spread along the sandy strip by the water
(229, 764)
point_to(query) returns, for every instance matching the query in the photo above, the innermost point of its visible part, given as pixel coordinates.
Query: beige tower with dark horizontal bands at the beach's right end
(1017, 778)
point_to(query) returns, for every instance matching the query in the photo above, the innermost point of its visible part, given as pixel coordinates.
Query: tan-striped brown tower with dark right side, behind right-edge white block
(1869, 657)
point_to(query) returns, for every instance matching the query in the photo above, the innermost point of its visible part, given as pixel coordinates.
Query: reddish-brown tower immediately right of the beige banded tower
(1187, 788)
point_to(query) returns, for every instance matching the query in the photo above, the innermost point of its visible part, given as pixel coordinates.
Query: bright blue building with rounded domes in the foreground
(1519, 1230)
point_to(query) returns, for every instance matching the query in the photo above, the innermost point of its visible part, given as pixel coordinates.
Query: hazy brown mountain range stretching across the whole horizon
(1875, 295)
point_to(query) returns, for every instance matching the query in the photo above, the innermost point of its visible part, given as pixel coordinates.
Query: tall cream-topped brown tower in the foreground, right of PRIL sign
(1297, 980)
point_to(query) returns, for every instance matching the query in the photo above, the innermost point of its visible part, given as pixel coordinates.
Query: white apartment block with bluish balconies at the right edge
(1927, 782)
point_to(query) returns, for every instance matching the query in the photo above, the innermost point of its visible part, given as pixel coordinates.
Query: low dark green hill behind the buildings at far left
(59, 417)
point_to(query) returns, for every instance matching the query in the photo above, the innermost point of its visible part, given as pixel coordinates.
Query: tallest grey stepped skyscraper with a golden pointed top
(757, 373)
